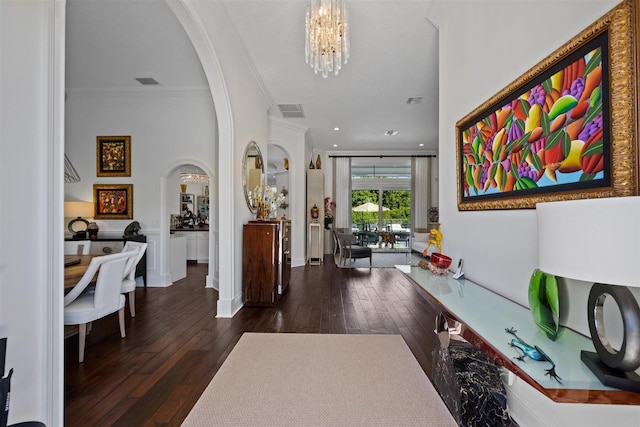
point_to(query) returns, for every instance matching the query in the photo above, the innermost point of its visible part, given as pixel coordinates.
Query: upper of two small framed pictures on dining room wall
(113, 156)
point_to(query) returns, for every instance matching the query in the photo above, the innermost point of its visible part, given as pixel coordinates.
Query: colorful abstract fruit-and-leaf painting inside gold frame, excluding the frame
(551, 136)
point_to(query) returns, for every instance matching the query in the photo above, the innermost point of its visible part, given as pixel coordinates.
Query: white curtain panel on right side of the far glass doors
(420, 191)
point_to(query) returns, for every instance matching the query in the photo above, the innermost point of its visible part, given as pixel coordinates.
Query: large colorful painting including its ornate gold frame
(566, 129)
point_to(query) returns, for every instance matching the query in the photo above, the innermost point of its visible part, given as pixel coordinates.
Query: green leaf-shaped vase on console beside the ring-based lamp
(545, 303)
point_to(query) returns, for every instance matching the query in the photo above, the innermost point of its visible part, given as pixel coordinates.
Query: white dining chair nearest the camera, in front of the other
(83, 305)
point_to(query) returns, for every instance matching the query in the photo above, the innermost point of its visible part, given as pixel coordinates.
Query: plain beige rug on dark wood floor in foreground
(320, 380)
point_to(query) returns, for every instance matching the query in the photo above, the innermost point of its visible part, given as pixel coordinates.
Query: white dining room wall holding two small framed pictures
(165, 126)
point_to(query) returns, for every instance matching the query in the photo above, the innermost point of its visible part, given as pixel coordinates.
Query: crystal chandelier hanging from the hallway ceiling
(327, 36)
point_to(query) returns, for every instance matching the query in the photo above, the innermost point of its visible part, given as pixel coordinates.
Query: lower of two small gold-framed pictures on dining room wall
(113, 201)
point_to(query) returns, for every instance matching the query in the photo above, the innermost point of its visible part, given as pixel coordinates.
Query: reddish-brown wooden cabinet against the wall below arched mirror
(266, 261)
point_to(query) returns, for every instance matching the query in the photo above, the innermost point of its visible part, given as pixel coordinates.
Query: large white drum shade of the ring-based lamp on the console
(594, 240)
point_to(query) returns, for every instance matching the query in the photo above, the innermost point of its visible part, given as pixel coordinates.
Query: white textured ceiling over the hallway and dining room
(393, 57)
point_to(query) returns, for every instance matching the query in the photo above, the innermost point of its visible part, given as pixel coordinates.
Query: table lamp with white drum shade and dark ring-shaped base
(598, 240)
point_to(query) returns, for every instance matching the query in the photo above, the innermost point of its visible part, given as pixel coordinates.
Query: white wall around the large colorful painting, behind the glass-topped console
(484, 46)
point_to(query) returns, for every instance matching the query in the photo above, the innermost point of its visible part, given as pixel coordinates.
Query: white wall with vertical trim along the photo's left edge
(31, 36)
